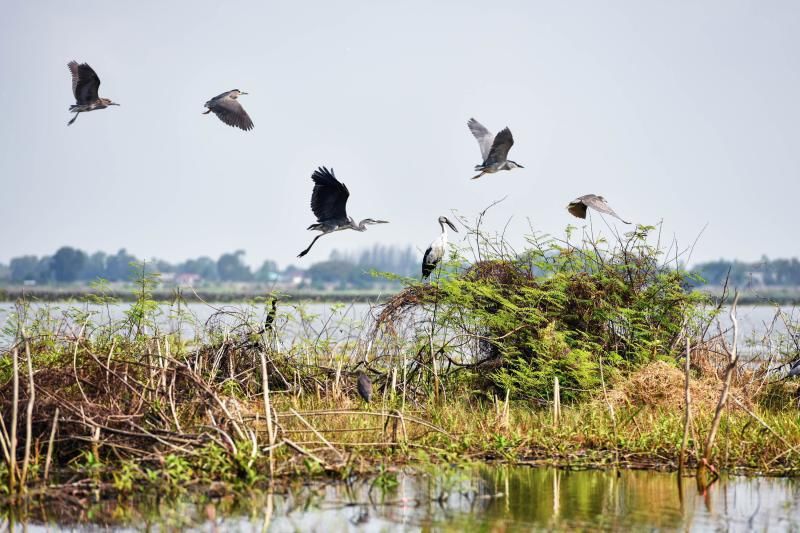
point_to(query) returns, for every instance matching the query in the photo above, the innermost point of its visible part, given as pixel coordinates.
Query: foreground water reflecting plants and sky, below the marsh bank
(485, 498)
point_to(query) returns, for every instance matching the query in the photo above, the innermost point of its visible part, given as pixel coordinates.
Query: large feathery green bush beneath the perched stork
(553, 310)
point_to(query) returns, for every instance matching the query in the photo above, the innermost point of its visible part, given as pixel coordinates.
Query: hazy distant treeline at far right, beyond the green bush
(766, 272)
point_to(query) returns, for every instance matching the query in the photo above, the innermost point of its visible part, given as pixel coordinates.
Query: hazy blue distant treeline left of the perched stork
(71, 265)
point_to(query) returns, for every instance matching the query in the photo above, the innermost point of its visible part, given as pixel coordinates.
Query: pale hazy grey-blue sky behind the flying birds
(685, 112)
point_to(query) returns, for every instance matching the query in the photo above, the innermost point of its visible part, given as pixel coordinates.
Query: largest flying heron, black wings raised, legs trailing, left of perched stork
(329, 202)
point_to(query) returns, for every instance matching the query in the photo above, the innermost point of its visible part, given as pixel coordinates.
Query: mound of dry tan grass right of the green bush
(660, 385)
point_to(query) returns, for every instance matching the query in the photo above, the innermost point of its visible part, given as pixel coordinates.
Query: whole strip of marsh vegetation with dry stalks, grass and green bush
(577, 352)
